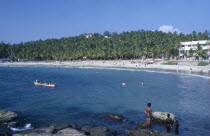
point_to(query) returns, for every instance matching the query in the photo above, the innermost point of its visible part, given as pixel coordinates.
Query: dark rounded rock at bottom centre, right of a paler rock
(101, 131)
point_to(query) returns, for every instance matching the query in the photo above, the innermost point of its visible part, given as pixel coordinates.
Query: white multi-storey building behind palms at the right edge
(186, 46)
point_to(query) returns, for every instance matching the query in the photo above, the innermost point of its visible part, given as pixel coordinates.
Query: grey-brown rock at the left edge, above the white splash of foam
(7, 116)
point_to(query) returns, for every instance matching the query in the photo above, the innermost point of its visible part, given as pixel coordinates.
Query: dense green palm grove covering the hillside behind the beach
(125, 45)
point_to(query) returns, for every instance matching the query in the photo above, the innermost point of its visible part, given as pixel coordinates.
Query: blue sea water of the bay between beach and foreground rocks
(84, 95)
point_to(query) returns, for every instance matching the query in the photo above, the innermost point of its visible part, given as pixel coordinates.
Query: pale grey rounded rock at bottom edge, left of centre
(70, 132)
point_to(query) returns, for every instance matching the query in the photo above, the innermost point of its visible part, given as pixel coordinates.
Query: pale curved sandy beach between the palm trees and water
(121, 64)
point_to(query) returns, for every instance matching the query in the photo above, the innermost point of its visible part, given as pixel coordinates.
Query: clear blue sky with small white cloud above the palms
(27, 20)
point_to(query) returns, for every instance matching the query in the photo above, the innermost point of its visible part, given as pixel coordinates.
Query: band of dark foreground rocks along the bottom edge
(87, 130)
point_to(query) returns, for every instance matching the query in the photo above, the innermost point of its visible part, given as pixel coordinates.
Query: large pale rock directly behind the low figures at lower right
(162, 116)
